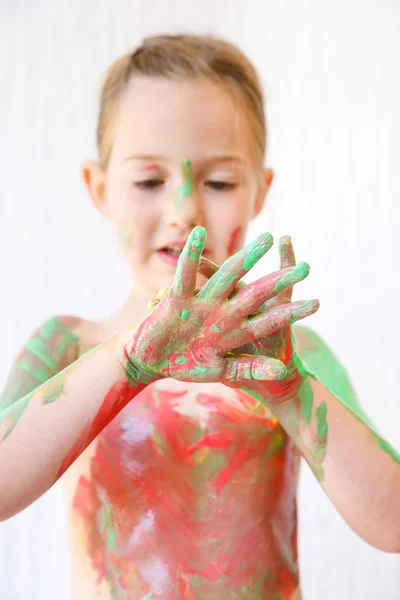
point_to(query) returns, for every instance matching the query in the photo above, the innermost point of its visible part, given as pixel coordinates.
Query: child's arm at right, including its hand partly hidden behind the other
(317, 407)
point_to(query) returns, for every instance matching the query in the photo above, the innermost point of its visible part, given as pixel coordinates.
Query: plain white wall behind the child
(331, 74)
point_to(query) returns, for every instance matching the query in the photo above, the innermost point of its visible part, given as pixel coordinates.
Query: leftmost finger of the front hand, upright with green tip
(184, 280)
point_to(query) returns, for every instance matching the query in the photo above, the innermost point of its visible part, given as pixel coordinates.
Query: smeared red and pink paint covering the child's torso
(208, 495)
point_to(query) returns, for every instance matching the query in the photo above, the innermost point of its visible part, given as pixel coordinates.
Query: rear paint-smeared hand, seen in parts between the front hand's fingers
(278, 343)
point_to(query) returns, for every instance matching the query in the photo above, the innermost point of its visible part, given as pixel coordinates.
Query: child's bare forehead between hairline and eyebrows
(180, 119)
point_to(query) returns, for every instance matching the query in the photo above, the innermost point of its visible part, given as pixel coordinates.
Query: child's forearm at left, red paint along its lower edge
(44, 432)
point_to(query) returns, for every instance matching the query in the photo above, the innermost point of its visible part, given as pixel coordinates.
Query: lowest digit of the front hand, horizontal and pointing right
(243, 367)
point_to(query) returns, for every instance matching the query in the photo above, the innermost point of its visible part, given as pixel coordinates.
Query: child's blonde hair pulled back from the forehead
(181, 57)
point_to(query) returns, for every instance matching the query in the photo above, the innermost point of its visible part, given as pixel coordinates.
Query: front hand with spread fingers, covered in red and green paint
(189, 336)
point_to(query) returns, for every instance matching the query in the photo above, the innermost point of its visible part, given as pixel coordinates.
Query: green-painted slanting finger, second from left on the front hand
(221, 283)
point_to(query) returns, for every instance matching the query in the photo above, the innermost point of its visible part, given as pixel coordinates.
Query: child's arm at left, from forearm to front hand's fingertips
(185, 337)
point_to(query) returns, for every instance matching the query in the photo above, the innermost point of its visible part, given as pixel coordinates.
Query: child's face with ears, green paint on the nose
(168, 122)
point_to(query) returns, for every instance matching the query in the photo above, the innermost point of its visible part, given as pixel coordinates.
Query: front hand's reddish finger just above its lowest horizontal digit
(266, 322)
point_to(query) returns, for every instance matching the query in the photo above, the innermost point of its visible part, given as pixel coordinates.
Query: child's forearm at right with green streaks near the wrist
(359, 471)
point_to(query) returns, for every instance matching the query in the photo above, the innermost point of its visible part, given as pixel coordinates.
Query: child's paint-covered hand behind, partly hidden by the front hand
(278, 343)
